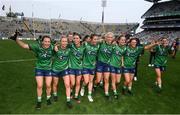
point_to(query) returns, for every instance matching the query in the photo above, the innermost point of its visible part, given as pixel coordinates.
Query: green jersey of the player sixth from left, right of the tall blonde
(117, 54)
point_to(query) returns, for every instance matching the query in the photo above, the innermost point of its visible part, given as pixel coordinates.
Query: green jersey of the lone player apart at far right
(161, 55)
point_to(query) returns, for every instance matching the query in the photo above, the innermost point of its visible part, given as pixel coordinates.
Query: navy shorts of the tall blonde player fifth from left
(102, 67)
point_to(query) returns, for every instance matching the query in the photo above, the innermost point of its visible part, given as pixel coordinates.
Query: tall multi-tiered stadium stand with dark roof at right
(162, 19)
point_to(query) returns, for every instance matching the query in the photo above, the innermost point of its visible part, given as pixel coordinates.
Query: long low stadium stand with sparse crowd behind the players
(58, 27)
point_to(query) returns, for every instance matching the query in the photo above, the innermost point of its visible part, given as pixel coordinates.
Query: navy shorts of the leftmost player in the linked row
(44, 73)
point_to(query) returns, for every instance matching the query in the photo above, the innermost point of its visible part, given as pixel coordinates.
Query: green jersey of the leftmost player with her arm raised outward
(44, 56)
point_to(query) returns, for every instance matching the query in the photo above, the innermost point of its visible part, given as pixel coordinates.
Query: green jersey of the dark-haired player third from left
(76, 57)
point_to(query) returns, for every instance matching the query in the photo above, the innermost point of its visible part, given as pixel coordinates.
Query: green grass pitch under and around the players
(18, 89)
